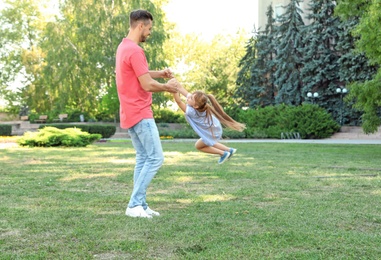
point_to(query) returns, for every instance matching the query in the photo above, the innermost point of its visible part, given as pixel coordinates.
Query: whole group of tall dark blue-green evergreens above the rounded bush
(288, 59)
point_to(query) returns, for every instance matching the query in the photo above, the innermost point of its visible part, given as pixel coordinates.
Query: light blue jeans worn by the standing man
(149, 158)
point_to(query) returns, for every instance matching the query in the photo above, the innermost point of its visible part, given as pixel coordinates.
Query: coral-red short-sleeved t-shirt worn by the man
(135, 102)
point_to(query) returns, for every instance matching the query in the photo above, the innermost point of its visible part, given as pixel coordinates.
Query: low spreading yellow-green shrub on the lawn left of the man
(51, 136)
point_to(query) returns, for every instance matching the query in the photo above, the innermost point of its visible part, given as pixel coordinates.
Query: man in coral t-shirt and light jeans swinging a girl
(135, 85)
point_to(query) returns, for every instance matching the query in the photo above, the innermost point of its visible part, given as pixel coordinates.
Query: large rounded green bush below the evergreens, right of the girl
(310, 121)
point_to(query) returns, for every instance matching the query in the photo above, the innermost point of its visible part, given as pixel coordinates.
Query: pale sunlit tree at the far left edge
(20, 25)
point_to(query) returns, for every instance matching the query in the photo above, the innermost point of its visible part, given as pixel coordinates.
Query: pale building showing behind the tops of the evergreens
(278, 6)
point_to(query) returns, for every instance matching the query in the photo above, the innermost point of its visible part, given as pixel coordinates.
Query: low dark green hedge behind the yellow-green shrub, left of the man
(105, 131)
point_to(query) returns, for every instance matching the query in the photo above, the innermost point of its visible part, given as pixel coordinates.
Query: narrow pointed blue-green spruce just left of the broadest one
(289, 56)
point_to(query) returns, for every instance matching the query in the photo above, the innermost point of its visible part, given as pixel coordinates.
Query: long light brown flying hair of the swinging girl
(201, 100)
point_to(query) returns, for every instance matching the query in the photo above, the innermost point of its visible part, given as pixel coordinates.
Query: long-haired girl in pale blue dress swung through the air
(205, 115)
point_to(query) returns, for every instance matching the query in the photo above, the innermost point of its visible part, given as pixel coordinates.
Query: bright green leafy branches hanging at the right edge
(366, 94)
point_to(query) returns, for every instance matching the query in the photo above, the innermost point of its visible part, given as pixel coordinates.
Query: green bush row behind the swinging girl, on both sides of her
(309, 121)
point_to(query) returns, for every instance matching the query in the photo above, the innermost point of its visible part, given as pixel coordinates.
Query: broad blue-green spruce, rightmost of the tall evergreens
(329, 62)
